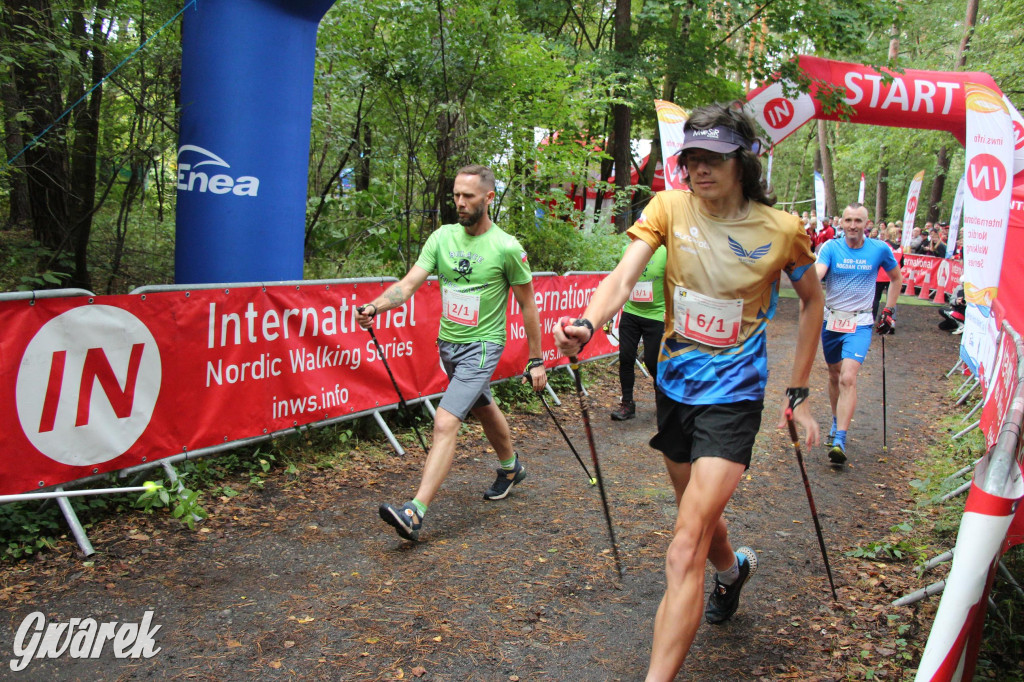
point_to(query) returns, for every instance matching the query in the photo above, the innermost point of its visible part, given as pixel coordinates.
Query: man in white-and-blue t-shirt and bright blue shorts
(849, 268)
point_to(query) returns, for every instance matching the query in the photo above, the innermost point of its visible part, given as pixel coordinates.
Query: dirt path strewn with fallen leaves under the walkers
(303, 580)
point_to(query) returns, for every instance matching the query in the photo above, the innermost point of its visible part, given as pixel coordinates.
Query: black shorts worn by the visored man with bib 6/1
(687, 433)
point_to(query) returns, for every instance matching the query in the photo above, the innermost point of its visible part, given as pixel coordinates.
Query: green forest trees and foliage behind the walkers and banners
(406, 93)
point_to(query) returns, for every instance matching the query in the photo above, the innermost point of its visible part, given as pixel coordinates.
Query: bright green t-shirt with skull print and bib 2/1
(476, 275)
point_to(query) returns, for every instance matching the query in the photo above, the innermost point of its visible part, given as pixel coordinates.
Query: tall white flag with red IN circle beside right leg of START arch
(987, 216)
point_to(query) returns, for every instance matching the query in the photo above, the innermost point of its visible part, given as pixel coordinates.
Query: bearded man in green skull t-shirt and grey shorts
(477, 264)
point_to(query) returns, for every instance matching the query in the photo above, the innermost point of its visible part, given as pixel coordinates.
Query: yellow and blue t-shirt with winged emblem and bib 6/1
(721, 288)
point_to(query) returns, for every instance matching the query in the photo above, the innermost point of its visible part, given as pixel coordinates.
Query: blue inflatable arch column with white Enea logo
(247, 84)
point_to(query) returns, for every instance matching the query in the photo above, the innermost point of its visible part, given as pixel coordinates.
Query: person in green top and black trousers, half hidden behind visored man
(644, 317)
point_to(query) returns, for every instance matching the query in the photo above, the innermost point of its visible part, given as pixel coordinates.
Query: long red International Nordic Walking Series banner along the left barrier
(101, 383)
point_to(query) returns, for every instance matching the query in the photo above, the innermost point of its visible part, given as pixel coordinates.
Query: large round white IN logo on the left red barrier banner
(88, 386)
